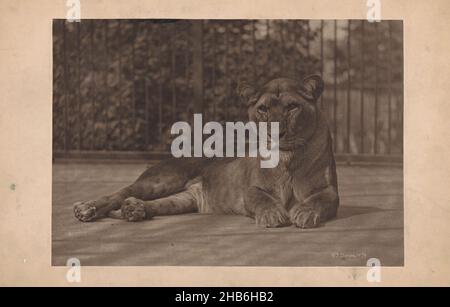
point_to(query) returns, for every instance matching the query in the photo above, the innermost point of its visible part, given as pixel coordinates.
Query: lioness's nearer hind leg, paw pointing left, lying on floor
(134, 209)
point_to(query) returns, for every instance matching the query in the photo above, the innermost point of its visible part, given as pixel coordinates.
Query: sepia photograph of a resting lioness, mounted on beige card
(245, 142)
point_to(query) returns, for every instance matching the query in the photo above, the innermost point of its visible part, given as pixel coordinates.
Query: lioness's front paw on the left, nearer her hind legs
(264, 208)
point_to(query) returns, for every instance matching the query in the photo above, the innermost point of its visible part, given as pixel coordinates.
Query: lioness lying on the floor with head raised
(300, 190)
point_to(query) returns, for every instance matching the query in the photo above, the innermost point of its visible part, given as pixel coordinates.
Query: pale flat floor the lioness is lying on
(369, 224)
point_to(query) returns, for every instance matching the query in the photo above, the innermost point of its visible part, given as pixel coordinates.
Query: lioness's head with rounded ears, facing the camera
(289, 102)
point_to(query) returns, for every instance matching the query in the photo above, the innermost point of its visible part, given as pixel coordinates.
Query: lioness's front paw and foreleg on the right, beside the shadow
(315, 209)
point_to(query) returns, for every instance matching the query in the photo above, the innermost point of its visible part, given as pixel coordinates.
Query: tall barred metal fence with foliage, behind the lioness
(119, 85)
